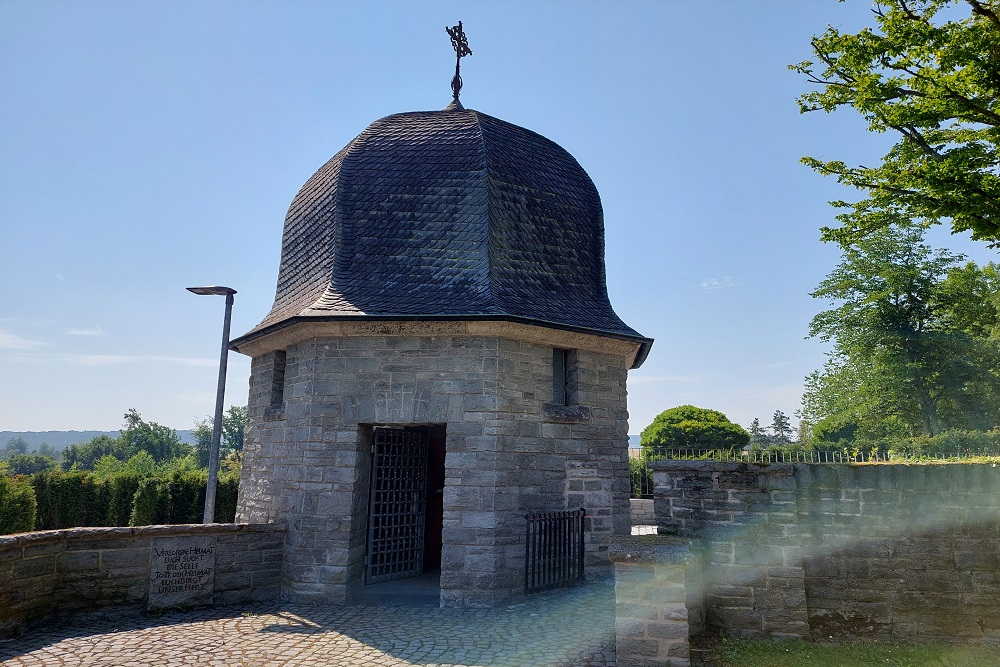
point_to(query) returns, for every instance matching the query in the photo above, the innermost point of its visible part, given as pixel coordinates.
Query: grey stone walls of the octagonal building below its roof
(508, 451)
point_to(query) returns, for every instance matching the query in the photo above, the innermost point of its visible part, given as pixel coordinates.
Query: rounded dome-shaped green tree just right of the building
(689, 427)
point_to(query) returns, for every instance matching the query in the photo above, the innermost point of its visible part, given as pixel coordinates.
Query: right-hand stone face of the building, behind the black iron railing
(564, 457)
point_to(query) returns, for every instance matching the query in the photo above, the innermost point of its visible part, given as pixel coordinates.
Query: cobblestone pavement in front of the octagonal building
(570, 628)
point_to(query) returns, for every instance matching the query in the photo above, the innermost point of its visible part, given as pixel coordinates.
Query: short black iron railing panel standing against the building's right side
(554, 549)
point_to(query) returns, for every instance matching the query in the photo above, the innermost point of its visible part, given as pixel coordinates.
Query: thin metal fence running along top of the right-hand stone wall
(641, 476)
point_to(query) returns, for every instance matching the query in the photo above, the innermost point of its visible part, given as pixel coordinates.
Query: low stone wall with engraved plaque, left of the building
(64, 571)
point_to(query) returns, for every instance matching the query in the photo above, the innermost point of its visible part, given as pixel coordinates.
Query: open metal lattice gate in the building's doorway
(397, 505)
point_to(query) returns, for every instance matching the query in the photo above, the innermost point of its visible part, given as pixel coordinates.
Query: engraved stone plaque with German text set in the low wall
(181, 572)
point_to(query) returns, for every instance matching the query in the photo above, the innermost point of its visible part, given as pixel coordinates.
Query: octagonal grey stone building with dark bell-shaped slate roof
(440, 360)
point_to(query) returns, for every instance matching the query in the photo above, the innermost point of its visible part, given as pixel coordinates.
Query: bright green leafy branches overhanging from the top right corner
(932, 78)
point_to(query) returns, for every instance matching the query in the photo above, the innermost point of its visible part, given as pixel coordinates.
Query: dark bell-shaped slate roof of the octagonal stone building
(448, 214)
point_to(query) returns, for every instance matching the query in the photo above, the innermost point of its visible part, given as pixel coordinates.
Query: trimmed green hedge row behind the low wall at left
(52, 500)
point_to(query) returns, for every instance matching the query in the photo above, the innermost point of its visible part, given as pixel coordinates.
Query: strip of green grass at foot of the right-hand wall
(796, 653)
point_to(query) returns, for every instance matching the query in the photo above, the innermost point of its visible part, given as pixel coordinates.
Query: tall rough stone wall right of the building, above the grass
(909, 551)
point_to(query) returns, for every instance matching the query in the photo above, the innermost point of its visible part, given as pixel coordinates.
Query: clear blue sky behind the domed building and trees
(147, 147)
